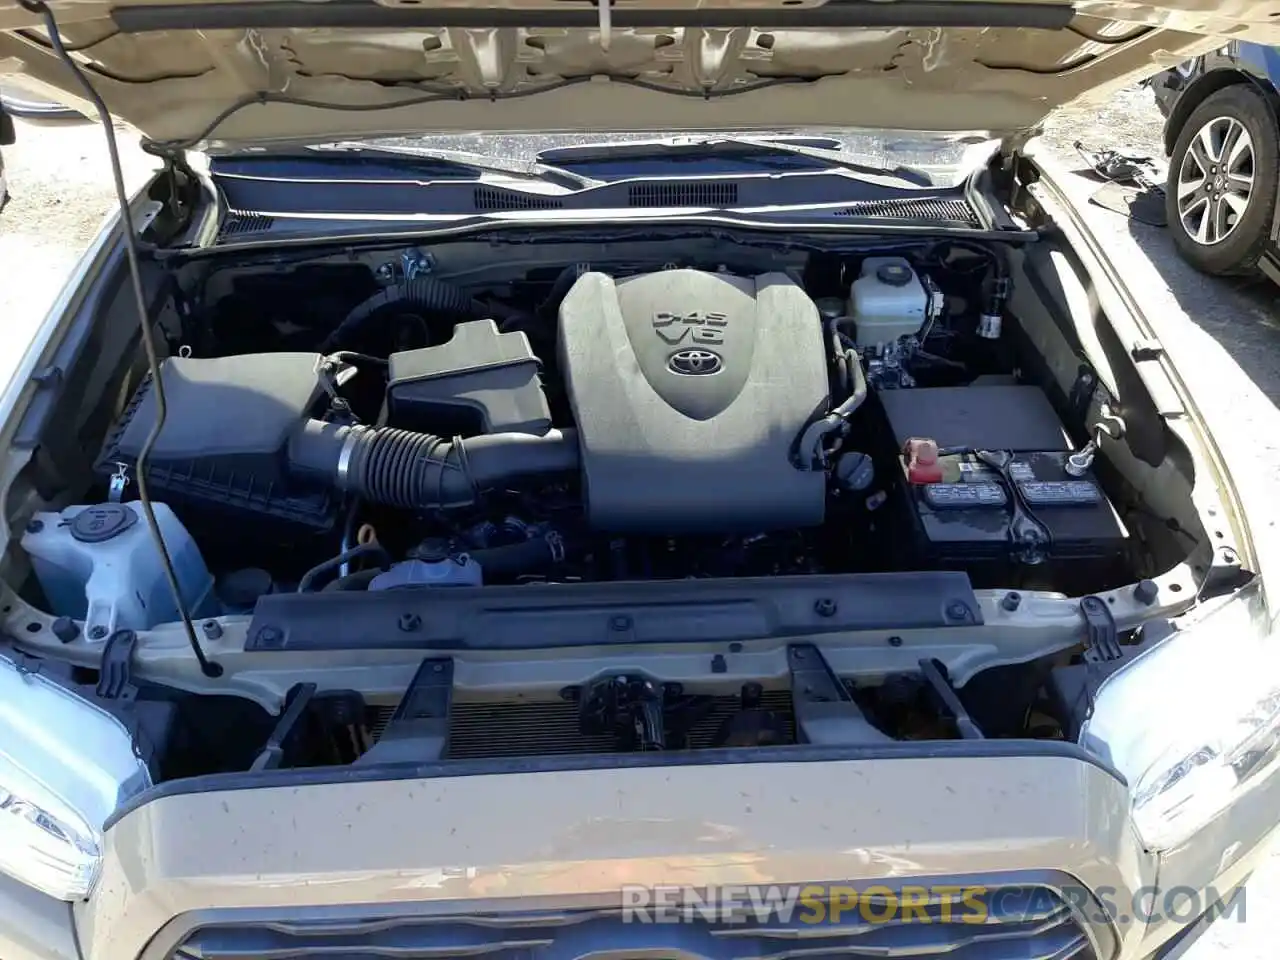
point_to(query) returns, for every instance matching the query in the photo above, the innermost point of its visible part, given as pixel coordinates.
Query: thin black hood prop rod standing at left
(131, 249)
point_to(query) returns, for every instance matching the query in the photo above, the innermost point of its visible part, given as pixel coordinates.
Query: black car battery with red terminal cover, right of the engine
(963, 511)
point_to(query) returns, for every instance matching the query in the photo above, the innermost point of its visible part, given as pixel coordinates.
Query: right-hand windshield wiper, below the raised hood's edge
(678, 149)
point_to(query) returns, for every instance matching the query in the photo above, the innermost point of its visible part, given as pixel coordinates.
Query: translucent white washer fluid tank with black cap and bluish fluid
(100, 565)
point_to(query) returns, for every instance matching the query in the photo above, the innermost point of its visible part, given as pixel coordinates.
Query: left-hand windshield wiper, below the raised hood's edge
(447, 163)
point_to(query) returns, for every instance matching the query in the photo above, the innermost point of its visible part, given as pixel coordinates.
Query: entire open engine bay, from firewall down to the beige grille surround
(761, 488)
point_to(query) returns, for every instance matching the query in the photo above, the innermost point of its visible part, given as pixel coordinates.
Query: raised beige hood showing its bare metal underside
(193, 72)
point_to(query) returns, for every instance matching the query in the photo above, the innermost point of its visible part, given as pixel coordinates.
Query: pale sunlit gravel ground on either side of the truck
(1223, 335)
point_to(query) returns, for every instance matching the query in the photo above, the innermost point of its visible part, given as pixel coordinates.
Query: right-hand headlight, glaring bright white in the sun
(1195, 721)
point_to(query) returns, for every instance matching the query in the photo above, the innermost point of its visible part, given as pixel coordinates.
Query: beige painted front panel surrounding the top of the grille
(564, 840)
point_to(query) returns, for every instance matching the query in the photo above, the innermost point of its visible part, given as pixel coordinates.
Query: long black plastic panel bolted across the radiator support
(591, 615)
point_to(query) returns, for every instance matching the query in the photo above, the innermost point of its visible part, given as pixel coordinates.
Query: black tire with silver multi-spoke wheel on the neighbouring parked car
(1222, 222)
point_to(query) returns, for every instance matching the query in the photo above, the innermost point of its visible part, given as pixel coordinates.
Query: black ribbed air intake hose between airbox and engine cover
(412, 470)
